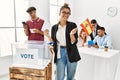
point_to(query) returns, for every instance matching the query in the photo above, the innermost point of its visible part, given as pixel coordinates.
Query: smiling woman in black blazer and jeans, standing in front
(64, 35)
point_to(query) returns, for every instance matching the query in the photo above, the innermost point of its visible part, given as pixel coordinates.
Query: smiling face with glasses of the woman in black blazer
(64, 14)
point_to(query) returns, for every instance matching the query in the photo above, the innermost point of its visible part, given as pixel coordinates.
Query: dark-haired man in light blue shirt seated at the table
(102, 39)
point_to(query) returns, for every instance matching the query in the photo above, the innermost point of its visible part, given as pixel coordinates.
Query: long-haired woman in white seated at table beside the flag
(83, 38)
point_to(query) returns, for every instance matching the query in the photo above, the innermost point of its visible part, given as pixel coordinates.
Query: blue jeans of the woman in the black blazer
(63, 63)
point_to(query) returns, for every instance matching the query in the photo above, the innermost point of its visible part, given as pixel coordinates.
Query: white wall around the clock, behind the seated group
(97, 9)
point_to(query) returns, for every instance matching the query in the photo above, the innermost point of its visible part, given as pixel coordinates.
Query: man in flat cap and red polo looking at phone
(34, 27)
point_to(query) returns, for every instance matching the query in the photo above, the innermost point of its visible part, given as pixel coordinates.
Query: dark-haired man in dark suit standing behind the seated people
(95, 27)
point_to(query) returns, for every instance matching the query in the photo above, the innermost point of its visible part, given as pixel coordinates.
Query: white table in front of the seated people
(96, 64)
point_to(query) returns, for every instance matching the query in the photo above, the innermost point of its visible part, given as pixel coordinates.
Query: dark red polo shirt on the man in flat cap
(38, 23)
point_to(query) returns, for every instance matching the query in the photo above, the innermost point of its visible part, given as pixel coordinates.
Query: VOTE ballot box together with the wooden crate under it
(31, 61)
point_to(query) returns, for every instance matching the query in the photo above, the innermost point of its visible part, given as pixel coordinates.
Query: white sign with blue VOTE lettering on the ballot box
(26, 56)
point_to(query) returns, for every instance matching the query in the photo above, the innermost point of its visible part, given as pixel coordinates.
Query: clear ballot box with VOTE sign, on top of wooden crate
(31, 53)
